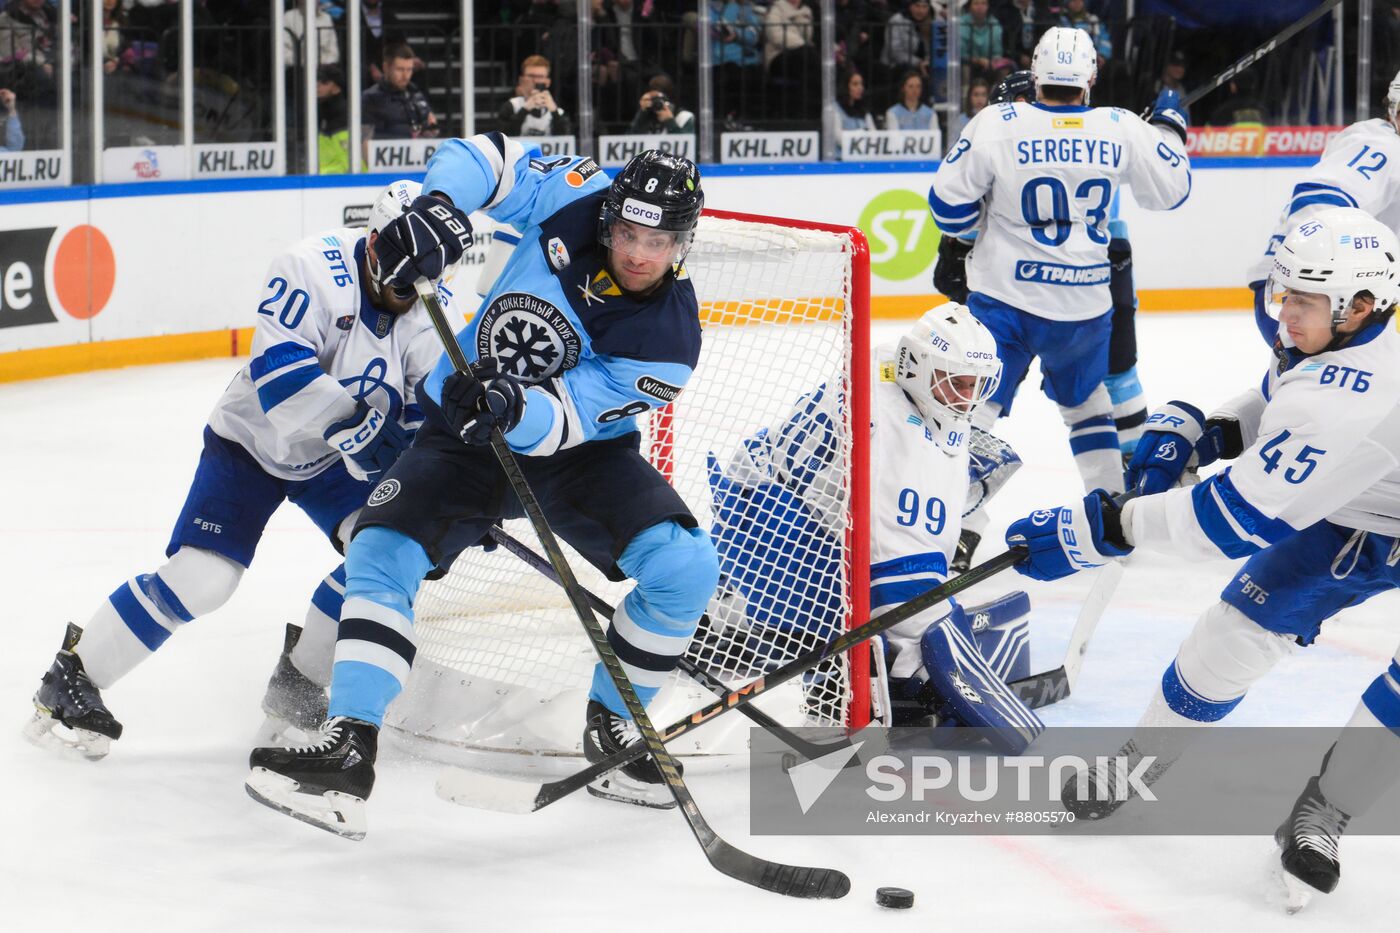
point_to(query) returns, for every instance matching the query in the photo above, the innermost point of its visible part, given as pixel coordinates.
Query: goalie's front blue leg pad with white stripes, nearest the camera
(971, 694)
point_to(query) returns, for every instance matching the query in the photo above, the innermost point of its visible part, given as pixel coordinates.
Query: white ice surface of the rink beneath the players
(162, 836)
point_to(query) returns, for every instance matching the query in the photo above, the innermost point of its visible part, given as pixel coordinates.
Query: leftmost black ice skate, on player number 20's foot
(69, 714)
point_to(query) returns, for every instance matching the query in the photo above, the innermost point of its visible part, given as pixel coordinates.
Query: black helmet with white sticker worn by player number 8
(654, 190)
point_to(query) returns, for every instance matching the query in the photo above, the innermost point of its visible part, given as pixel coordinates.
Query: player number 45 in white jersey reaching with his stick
(1314, 502)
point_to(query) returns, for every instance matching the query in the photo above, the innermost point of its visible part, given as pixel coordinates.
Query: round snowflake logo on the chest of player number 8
(528, 337)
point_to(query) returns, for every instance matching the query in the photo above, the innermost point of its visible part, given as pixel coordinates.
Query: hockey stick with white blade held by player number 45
(519, 796)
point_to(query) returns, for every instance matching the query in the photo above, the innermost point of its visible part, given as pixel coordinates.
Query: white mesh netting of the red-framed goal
(505, 666)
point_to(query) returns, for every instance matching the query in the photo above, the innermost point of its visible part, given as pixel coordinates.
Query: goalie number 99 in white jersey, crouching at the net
(780, 518)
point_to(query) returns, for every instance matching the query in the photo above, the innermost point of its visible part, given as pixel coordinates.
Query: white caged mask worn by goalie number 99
(936, 358)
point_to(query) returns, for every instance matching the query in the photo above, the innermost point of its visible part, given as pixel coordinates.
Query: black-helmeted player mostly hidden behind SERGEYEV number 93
(1122, 380)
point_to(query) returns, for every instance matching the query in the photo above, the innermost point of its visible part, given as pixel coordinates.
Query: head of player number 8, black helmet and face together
(654, 193)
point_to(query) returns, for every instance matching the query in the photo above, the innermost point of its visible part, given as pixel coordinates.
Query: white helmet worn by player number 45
(1340, 253)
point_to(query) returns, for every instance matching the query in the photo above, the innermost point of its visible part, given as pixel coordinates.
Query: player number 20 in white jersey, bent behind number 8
(323, 408)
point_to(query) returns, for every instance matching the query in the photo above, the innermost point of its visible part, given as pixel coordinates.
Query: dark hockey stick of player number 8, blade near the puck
(799, 882)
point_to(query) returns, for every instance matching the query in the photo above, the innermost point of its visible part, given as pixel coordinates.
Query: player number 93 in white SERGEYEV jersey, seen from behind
(1041, 180)
